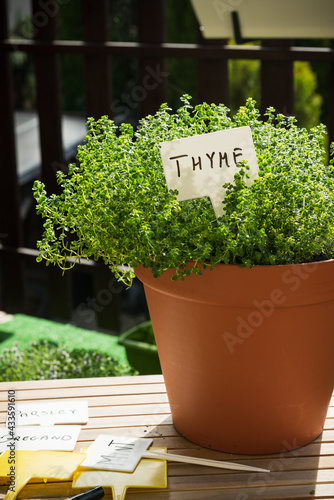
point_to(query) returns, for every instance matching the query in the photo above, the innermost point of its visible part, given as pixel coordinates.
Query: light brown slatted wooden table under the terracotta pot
(138, 406)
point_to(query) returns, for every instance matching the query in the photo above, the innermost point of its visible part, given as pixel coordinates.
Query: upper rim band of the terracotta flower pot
(229, 285)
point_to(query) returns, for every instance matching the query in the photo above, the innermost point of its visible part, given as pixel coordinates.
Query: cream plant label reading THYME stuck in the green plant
(200, 165)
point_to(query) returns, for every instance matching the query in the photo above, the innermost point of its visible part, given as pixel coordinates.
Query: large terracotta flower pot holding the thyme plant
(247, 354)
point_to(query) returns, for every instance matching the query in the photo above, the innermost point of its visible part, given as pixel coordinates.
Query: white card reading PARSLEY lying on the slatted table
(53, 412)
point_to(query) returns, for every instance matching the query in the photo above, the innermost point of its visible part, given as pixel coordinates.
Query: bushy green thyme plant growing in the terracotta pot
(116, 206)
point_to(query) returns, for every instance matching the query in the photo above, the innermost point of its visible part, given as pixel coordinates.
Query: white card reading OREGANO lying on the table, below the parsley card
(58, 437)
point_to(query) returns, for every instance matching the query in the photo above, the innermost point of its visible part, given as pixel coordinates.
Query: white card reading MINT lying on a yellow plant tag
(117, 453)
